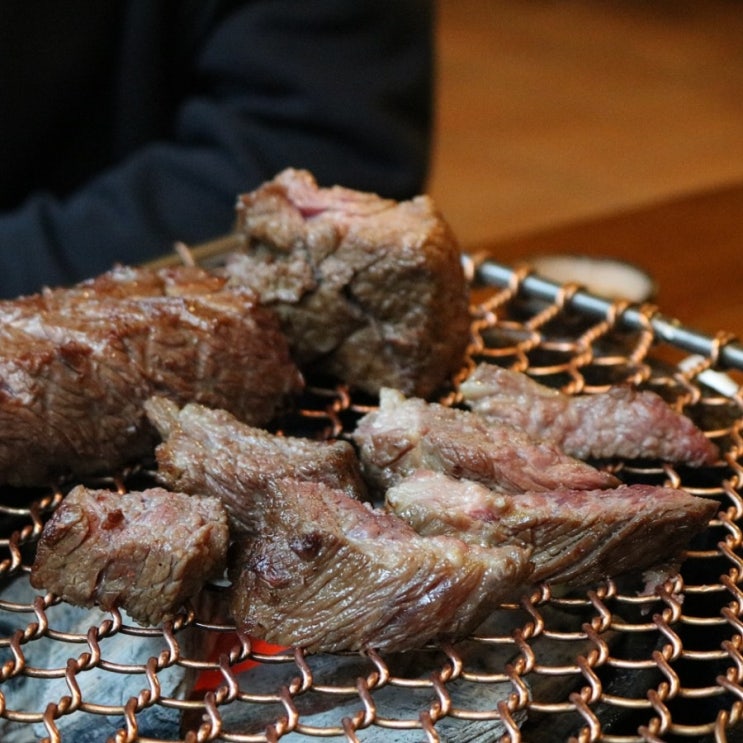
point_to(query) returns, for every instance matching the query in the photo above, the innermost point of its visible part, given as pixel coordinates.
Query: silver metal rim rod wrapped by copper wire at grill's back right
(729, 354)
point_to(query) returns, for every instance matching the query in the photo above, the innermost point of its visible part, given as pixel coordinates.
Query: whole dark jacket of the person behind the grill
(128, 125)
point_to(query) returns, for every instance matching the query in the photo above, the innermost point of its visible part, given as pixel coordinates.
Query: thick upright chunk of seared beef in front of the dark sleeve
(369, 290)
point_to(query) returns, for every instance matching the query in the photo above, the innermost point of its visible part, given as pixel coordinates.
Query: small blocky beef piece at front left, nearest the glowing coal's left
(145, 552)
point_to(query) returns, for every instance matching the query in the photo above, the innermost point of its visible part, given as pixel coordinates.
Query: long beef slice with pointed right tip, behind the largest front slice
(578, 537)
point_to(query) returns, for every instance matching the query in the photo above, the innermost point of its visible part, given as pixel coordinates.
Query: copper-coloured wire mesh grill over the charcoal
(610, 664)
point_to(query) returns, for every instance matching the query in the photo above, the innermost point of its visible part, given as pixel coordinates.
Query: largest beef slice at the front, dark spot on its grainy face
(328, 573)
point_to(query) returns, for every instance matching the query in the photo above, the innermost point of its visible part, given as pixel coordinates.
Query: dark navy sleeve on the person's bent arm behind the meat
(340, 87)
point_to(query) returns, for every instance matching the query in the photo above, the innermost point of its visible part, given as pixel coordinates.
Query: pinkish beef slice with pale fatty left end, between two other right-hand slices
(406, 434)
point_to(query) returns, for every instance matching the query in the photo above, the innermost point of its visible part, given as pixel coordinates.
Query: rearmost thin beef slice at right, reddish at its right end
(622, 422)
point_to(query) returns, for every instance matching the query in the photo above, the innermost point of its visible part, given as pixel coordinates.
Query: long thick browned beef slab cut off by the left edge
(77, 367)
